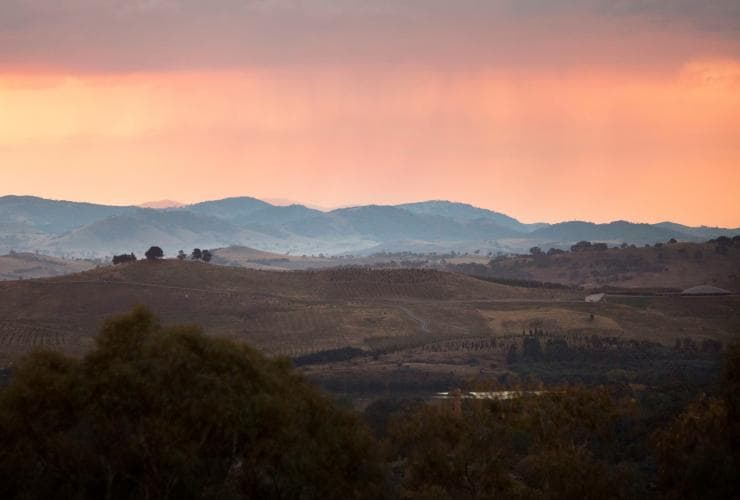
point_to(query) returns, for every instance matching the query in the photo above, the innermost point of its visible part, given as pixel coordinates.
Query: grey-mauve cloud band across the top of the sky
(108, 35)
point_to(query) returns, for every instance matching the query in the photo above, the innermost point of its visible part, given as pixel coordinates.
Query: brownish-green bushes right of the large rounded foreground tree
(536, 446)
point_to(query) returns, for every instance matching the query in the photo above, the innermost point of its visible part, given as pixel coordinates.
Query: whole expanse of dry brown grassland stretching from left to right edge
(408, 322)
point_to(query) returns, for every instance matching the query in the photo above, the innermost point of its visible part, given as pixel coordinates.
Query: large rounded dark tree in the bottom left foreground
(155, 412)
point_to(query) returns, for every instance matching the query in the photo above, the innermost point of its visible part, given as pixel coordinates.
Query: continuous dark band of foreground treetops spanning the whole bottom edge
(169, 412)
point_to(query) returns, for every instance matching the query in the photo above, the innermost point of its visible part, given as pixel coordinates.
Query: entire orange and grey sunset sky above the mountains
(547, 110)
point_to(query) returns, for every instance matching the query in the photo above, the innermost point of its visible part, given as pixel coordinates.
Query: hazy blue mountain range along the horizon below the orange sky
(66, 228)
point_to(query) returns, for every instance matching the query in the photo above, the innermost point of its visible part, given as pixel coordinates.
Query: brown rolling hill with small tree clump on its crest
(277, 311)
